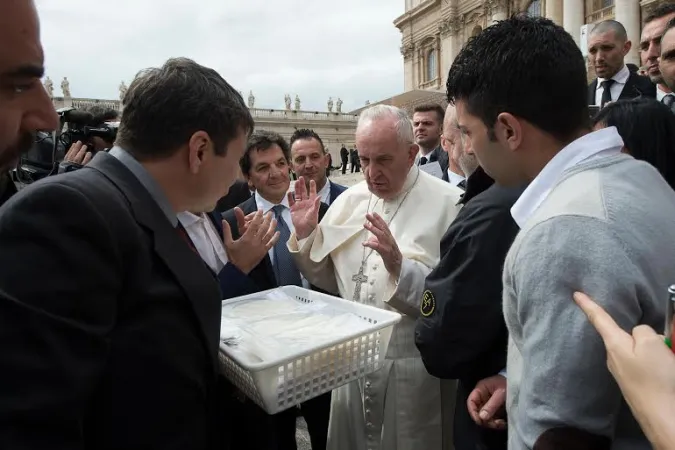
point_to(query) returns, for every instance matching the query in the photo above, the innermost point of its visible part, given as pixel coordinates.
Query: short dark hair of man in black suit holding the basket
(165, 106)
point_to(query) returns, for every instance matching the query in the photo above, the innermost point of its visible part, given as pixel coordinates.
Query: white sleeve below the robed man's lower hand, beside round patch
(407, 290)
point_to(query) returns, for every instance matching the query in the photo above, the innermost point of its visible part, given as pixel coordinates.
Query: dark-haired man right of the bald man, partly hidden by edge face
(650, 45)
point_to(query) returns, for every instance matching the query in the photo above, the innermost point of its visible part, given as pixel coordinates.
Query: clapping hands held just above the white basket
(260, 236)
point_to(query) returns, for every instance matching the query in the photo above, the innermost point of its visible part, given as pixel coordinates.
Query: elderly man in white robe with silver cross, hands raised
(375, 245)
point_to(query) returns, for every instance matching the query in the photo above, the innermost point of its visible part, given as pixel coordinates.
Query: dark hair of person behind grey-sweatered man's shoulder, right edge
(647, 128)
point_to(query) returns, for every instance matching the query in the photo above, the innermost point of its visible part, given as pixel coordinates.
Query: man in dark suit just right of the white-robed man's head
(428, 128)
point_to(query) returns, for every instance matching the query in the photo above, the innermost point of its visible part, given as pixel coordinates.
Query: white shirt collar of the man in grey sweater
(597, 144)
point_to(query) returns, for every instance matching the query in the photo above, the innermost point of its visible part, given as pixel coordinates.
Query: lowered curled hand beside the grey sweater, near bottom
(486, 403)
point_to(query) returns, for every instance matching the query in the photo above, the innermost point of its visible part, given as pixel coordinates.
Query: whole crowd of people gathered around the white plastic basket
(478, 223)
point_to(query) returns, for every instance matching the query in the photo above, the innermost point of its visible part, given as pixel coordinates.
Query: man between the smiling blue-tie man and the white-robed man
(310, 160)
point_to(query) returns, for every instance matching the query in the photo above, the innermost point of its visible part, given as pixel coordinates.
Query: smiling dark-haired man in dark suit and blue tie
(266, 164)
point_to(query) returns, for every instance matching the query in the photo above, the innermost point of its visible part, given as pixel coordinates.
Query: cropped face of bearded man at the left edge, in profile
(25, 107)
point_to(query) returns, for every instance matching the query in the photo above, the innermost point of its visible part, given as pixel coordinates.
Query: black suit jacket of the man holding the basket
(109, 329)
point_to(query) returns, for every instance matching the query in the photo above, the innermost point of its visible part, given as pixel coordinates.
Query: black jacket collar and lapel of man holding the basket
(187, 268)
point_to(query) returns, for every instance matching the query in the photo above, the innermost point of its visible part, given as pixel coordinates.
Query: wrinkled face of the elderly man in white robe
(385, 160)
